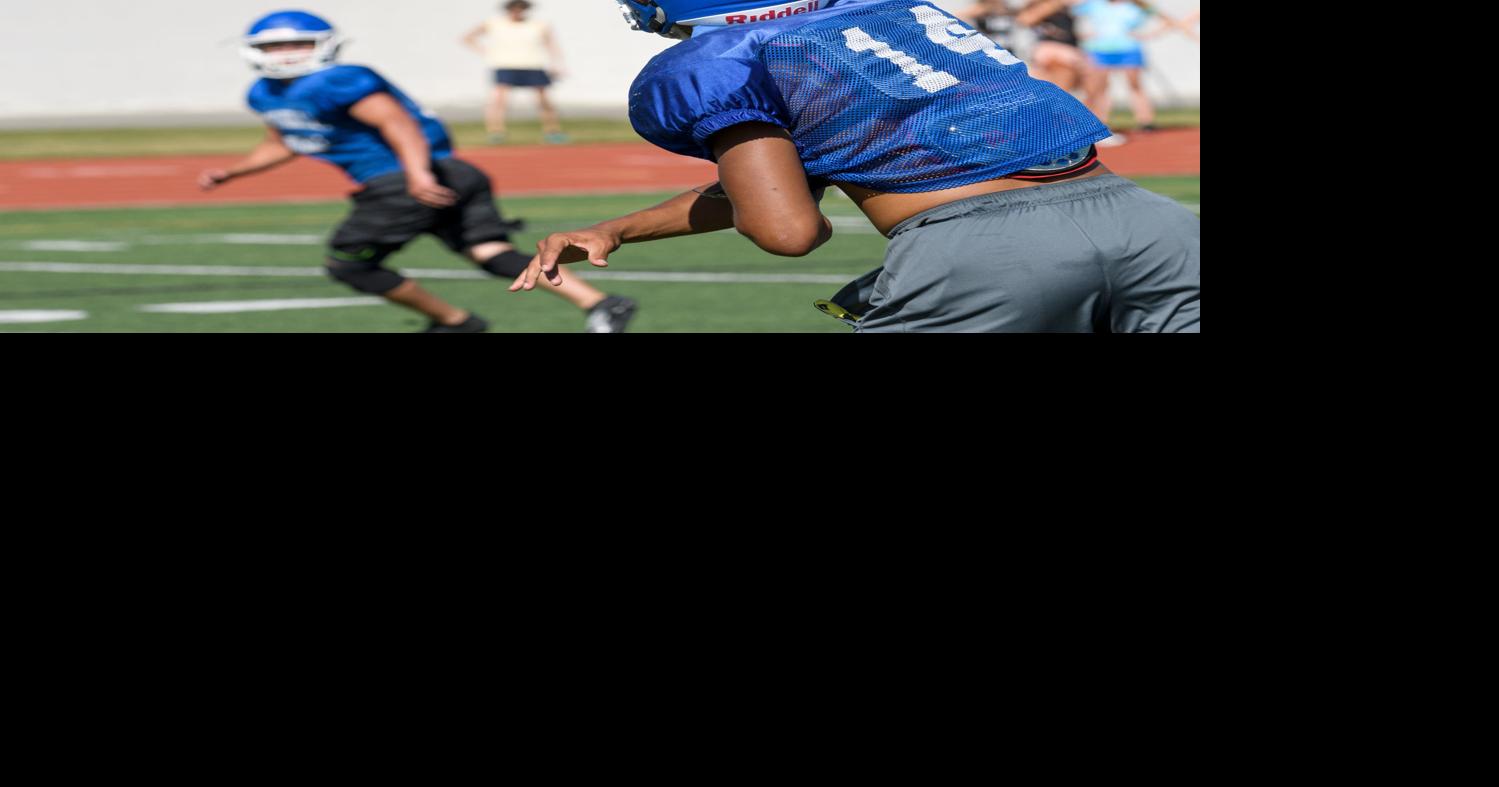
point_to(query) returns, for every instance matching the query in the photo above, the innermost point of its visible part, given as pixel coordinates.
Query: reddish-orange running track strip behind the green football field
(549, 170)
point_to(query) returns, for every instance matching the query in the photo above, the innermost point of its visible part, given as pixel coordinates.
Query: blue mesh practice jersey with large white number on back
(890, 95)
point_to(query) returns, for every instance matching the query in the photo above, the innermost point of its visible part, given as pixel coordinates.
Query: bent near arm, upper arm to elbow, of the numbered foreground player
(764, 178)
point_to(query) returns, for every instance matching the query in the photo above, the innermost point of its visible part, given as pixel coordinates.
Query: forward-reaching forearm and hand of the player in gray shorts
(689, 214)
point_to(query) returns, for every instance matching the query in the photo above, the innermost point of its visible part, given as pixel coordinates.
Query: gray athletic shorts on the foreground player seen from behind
(1082, 257)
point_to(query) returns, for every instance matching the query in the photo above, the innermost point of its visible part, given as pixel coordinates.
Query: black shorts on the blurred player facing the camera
(387, 218)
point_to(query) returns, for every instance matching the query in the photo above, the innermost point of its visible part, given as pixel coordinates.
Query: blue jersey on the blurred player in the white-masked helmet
(313, 115)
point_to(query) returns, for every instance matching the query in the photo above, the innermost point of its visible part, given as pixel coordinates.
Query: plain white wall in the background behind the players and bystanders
(140, 62)
